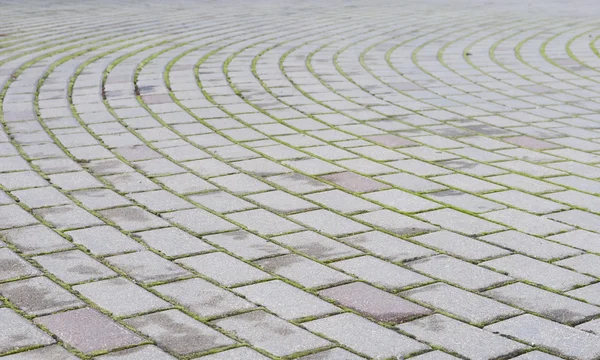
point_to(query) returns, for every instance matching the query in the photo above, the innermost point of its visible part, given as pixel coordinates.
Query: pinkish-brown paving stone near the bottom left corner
(88, 331)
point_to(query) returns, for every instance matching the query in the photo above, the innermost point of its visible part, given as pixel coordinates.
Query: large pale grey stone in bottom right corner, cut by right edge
(564, 340)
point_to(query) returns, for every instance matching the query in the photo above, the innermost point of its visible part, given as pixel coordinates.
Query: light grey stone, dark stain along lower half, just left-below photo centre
(316, 245)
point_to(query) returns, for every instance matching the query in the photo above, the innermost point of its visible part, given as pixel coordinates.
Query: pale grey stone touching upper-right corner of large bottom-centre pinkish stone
(458, 272)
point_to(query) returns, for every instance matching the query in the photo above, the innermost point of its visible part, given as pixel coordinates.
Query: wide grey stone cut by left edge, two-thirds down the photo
(35, 239)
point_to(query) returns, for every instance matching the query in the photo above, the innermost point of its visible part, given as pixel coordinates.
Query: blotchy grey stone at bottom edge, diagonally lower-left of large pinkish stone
(257, 328)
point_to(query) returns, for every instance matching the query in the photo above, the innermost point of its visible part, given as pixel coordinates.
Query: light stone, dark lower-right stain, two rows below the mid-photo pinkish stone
(395, 222)
